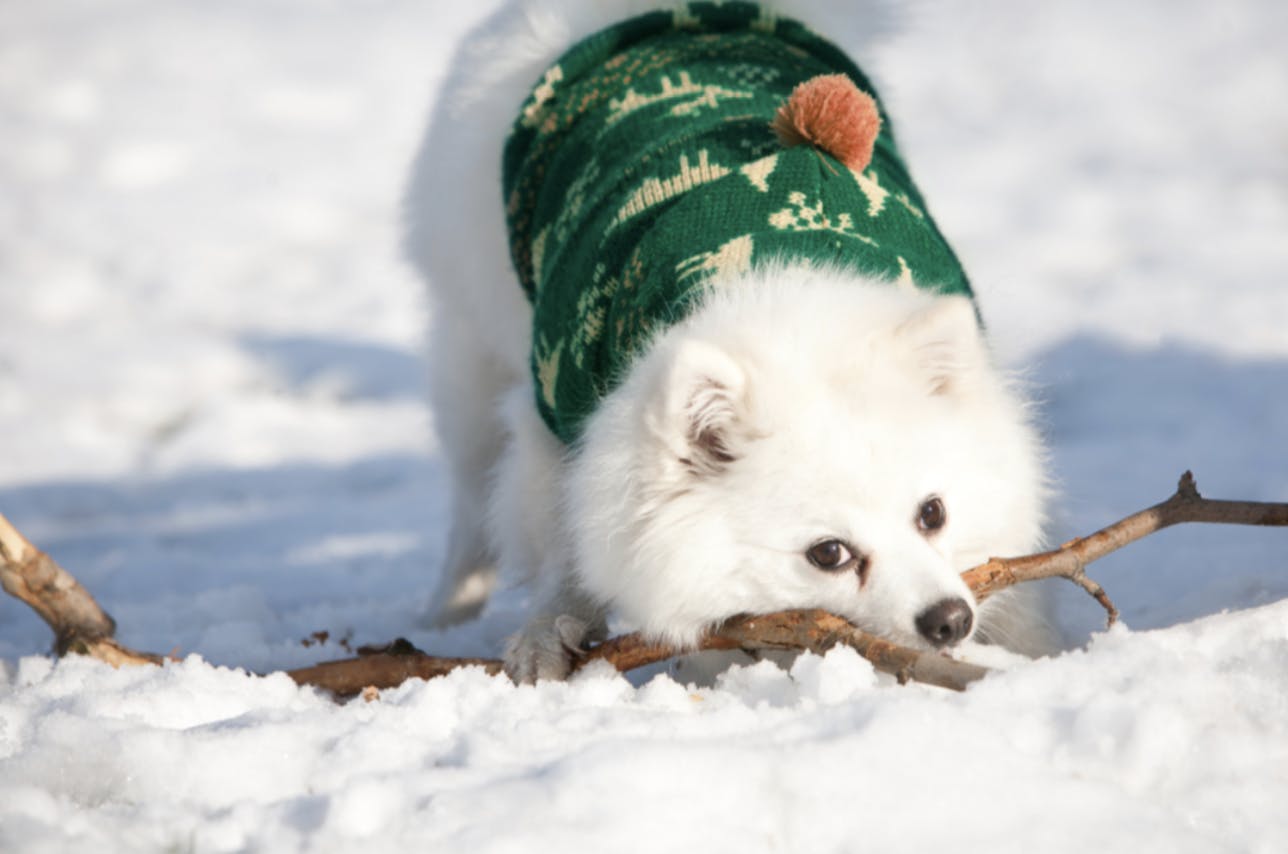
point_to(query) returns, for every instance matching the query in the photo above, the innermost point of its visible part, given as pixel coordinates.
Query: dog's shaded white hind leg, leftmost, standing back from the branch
(467, 386)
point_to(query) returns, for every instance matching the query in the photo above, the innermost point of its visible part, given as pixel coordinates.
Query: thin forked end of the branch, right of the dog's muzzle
(1071, 560)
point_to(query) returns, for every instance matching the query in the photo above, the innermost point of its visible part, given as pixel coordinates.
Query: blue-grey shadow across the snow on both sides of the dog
(241, 565)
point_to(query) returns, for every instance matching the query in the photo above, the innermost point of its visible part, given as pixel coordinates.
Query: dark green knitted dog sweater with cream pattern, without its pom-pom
(643, 168)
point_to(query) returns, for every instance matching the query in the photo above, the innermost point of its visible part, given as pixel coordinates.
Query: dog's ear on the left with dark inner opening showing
(700, 408)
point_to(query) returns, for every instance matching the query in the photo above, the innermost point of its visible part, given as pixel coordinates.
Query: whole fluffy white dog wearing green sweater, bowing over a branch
(718, 391)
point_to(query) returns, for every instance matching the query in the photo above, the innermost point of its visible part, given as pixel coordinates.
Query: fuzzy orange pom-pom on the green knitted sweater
(830, 113)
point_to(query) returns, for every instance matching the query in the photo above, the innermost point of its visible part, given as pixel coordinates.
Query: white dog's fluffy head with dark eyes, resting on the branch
(807, 441)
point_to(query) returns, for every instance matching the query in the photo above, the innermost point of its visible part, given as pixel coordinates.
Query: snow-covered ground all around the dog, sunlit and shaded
(212, 413)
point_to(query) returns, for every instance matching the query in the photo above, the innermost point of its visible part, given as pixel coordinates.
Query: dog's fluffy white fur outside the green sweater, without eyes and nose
(843, 405)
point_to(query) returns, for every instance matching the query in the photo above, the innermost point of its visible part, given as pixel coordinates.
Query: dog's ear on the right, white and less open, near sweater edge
(945, 343)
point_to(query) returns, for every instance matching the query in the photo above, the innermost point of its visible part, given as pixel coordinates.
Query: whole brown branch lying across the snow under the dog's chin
(83, 628)
